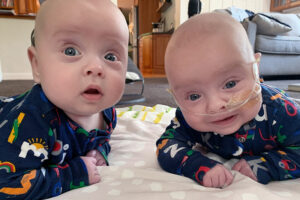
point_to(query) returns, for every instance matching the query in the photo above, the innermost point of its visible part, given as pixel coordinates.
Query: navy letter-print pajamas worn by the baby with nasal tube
(270, 143)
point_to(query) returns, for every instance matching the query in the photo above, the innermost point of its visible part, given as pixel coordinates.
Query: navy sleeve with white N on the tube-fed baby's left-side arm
(176, 155)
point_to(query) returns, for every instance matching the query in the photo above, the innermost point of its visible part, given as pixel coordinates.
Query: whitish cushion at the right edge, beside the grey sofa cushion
(291, 19)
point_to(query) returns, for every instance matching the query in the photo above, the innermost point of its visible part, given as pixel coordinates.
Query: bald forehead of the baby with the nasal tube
(210, 39)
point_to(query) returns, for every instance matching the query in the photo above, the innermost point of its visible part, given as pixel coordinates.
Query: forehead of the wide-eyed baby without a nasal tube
(89, 16)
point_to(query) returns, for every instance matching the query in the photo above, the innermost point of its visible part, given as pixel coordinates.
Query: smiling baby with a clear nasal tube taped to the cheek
(213, 76)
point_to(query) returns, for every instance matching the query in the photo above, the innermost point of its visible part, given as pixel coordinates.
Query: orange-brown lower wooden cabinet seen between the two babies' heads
(152, 49)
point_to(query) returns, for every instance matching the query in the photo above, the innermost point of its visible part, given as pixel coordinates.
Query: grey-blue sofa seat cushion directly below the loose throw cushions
(278, 44)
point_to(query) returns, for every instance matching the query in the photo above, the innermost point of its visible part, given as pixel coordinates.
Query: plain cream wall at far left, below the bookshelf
(14, 40)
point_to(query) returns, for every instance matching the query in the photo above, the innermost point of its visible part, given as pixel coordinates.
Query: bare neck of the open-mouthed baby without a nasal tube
(90, 122)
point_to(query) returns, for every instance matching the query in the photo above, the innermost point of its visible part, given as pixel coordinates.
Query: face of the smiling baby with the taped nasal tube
(208, 78)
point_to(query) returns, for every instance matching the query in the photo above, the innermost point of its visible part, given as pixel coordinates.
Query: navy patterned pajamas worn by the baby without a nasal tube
(41, 147)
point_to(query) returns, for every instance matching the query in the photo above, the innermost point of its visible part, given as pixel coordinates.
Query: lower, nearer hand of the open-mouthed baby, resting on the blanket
(90, 163)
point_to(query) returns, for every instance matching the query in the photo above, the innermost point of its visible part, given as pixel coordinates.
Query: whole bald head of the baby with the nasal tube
(211, 70)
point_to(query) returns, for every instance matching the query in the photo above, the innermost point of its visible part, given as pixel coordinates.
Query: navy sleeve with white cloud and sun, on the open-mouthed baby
(26, 142)
